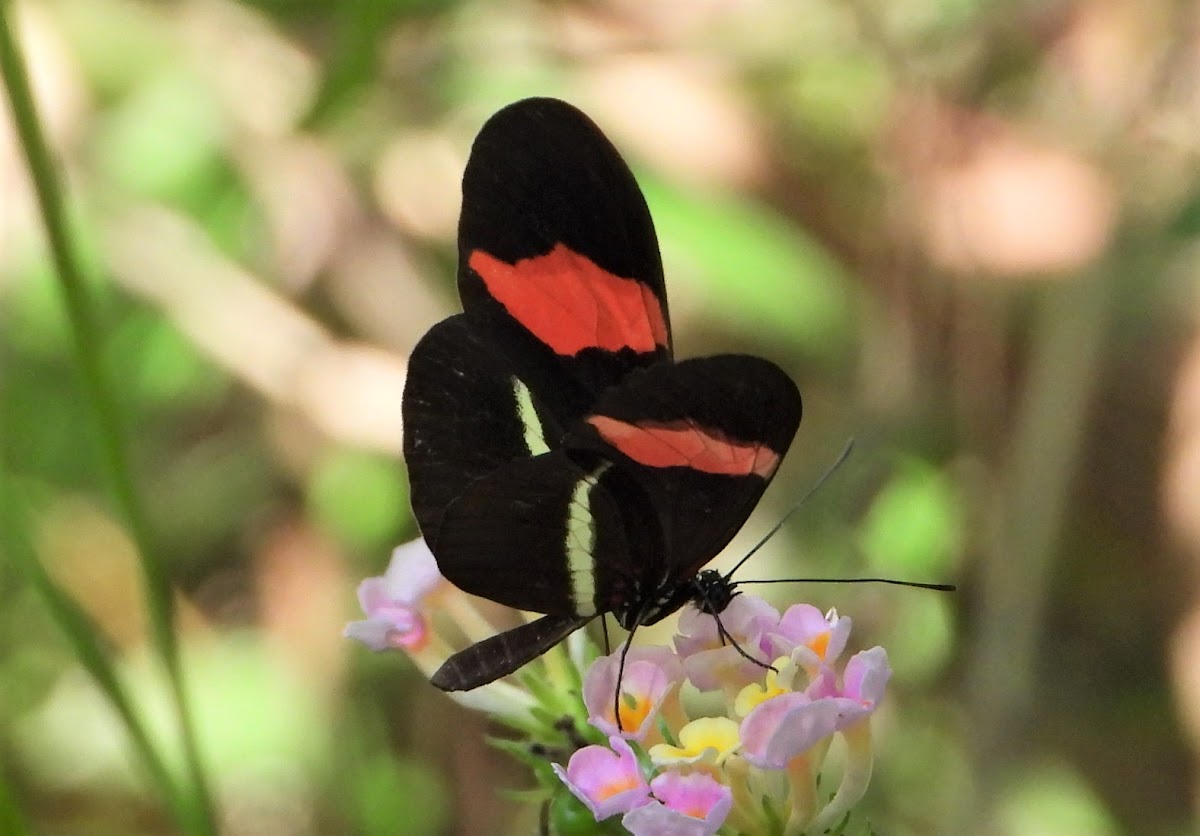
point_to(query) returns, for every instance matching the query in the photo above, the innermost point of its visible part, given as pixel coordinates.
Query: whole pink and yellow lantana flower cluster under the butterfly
(716, 733)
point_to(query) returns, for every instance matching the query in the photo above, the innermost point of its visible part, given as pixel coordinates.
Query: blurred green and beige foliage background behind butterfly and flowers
(971, 232)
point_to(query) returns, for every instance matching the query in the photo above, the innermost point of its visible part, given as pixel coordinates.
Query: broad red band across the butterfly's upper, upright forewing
(571, 304)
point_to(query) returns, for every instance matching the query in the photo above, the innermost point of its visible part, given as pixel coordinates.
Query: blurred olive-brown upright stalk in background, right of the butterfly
(1067, 352)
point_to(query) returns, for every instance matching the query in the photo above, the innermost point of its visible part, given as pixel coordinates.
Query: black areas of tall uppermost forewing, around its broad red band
(543, 175)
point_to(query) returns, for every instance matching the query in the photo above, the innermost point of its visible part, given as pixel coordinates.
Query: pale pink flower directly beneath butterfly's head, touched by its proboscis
(712, 664)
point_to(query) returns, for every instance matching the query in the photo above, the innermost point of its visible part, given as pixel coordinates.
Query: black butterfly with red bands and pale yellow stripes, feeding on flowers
(561, 460)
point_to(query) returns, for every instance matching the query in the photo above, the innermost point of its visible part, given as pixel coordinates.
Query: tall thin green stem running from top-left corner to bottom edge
(88, 348)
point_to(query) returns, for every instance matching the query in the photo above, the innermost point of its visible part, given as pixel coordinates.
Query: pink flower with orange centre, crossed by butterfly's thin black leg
(651, 676)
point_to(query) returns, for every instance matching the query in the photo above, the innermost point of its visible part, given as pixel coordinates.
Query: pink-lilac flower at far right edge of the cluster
(787, 727)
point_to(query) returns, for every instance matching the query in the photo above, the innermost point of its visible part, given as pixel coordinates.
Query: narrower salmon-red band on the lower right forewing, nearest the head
(686, 446)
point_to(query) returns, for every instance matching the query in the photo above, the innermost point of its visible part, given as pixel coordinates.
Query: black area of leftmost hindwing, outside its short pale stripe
(461, 422)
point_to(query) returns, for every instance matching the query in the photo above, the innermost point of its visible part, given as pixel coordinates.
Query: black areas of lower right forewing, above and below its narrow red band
(741, 399)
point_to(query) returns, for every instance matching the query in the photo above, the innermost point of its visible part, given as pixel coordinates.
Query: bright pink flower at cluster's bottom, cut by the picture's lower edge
(687, 805)
